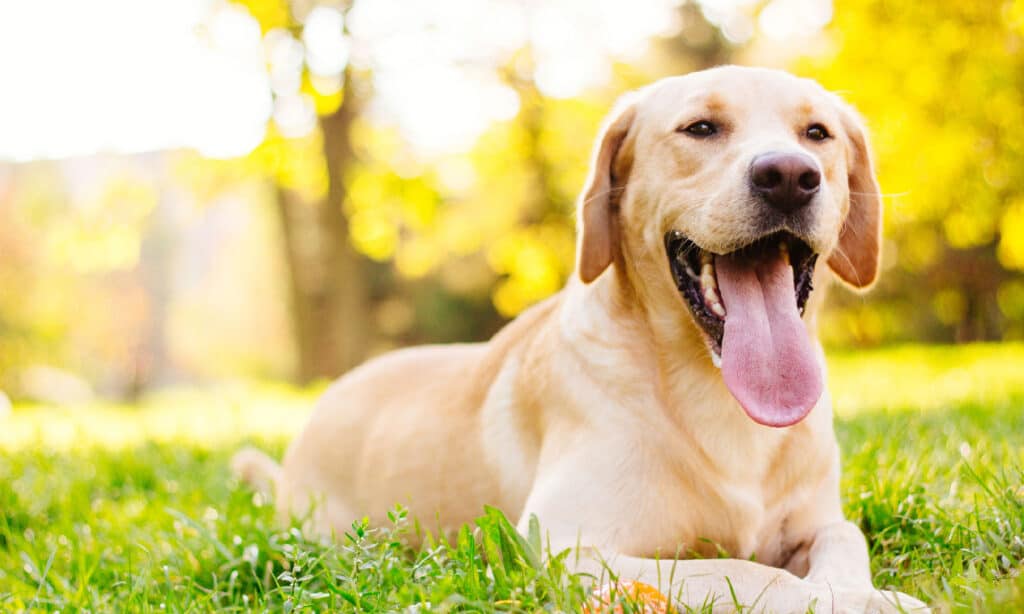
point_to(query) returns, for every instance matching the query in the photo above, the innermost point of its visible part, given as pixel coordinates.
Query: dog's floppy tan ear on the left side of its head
(599, 224)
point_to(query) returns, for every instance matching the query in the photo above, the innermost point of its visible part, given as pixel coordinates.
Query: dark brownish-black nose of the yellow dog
(786, 182)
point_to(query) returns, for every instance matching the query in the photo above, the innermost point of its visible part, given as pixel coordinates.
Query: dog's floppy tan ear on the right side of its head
(857, 259)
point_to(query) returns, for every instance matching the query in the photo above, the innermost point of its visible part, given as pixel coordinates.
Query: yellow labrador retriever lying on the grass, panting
(671, 399)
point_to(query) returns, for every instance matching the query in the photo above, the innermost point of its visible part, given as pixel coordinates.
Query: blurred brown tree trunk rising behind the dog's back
(329, 280)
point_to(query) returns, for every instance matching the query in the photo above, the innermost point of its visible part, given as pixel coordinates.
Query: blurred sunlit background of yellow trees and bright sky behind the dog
(203, 191)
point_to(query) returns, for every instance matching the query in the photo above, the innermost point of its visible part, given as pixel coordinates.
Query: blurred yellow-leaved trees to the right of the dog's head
(943, 86)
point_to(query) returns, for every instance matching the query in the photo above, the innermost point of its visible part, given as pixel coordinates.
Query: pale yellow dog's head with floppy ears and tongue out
(722, 189)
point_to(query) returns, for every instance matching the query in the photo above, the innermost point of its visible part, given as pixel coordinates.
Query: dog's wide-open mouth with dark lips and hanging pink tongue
(749, 304)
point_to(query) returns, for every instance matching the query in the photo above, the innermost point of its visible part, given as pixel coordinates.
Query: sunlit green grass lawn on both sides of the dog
(133, 509)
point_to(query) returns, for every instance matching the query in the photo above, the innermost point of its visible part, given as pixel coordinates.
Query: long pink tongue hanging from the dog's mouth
(767, 359)
